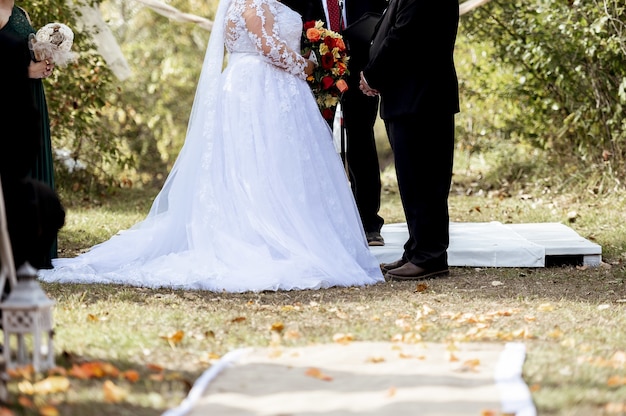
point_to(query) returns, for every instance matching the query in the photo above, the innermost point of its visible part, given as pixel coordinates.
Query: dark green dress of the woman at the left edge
(43, 169)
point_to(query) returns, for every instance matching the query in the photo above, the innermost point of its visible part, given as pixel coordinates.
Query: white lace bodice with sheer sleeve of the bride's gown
(268, 28)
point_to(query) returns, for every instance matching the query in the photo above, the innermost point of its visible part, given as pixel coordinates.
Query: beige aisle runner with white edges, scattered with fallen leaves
(366, 379)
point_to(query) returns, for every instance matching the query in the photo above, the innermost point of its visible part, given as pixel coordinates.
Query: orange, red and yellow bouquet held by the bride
(327, 49)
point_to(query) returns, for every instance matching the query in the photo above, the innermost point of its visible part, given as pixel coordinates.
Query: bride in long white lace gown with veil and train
(258, 198)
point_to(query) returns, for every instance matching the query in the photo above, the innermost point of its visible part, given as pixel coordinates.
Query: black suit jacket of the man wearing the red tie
(314, 10)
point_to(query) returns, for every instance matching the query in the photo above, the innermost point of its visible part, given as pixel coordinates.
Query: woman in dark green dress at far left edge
(16, 22)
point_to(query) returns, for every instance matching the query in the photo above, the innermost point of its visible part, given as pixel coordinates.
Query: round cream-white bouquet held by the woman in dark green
(53, 42)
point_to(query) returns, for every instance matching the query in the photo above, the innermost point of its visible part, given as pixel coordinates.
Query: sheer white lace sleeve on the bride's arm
(259, 18)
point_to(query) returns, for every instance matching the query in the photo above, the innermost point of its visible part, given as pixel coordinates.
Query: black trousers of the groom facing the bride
(423, 148)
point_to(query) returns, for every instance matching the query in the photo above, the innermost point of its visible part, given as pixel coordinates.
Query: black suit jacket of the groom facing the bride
(411, 58)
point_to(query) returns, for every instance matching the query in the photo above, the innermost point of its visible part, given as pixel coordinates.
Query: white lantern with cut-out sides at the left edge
(28, 311)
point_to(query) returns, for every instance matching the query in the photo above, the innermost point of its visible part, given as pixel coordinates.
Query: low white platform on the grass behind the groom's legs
(493, 244)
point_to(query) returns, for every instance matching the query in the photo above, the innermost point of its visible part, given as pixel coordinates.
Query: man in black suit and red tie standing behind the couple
(359, 115)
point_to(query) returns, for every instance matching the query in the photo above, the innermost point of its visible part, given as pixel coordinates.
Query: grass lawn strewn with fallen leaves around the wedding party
(570, 318)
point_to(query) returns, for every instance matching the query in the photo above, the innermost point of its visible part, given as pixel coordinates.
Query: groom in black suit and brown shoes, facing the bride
(418, 104)
